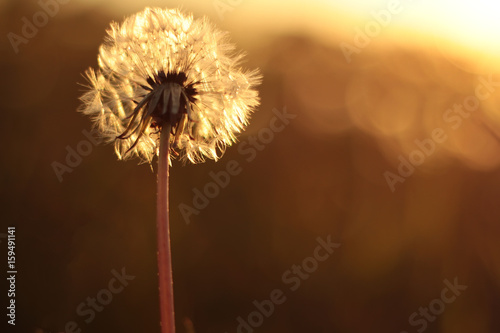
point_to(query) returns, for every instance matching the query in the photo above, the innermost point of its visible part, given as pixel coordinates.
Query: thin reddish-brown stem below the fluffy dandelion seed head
(162, 224)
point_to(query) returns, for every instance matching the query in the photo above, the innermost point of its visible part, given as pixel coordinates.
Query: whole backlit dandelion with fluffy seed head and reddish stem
(169, 85)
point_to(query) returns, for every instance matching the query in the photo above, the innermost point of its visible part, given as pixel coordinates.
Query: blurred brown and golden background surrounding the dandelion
(394, 153)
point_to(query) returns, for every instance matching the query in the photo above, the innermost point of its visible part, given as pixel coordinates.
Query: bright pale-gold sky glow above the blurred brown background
(473, 25)
